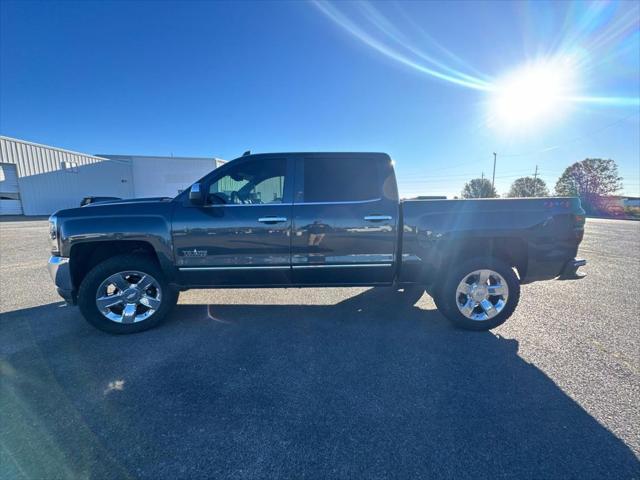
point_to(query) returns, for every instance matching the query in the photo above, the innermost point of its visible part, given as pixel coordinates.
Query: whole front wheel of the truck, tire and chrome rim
(126, 294)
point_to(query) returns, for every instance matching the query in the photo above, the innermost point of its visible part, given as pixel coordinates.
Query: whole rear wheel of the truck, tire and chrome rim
(479, 294)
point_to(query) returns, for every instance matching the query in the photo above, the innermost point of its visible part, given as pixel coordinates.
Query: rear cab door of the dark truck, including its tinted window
(345, 220)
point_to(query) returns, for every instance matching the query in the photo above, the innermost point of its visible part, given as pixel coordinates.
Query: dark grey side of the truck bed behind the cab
(538, 234)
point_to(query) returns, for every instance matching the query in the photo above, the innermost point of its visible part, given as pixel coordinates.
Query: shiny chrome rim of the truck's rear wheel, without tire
(482, 295)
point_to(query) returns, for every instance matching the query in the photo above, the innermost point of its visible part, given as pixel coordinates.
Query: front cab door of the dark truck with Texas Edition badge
(242, 234)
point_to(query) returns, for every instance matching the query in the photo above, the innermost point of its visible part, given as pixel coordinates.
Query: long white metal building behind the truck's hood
(38, 179)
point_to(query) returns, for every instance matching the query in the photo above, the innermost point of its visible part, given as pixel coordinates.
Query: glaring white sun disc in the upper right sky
(532, 95)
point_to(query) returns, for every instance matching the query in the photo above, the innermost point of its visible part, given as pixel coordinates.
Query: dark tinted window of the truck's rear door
(340, 179)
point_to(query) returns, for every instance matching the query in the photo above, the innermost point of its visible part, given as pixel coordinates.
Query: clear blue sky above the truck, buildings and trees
(421, 81)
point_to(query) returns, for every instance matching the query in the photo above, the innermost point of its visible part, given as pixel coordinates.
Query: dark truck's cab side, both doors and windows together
(308, 219)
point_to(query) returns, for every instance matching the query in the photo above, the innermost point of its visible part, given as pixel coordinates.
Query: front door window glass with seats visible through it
(250, 182)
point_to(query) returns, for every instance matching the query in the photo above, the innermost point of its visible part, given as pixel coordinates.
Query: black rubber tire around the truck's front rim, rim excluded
(111, 266)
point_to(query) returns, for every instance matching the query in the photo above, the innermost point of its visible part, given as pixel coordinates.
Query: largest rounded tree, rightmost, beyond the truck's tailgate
(591, 179)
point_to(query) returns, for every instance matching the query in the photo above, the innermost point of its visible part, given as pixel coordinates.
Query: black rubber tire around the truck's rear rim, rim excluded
(446, 299)
